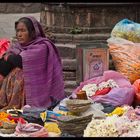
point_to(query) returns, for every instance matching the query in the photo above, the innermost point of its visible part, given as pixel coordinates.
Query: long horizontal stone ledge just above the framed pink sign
(78, 38)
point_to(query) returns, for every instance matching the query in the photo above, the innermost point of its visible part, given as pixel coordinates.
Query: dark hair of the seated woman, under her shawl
(29, 26)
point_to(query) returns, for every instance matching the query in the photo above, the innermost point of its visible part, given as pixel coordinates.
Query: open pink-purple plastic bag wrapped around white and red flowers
(117, 96)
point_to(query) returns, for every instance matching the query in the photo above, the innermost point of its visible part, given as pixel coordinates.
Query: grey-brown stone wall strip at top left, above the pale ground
(20, 7)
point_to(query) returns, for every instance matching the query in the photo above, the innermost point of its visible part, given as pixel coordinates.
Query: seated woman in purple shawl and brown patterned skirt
(41, 74)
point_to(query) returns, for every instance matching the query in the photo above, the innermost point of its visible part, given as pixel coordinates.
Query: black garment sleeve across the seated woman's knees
(12, 62)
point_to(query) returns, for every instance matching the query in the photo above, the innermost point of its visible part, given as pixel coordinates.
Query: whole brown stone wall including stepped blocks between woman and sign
(74, 23)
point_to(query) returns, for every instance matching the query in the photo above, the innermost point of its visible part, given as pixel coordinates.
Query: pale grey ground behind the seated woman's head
(7, 23)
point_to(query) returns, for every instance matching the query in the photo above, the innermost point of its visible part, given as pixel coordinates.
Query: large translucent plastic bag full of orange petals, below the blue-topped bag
(126, 57)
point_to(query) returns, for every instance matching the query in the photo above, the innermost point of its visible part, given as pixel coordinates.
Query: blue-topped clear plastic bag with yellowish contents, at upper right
(128, 30)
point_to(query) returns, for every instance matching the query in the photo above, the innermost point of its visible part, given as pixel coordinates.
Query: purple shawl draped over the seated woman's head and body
(42, 69)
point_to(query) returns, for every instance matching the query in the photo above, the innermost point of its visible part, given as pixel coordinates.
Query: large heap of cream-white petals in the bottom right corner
(127, 125)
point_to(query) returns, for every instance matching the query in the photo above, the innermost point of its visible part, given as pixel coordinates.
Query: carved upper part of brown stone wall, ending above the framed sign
(94, 21)
